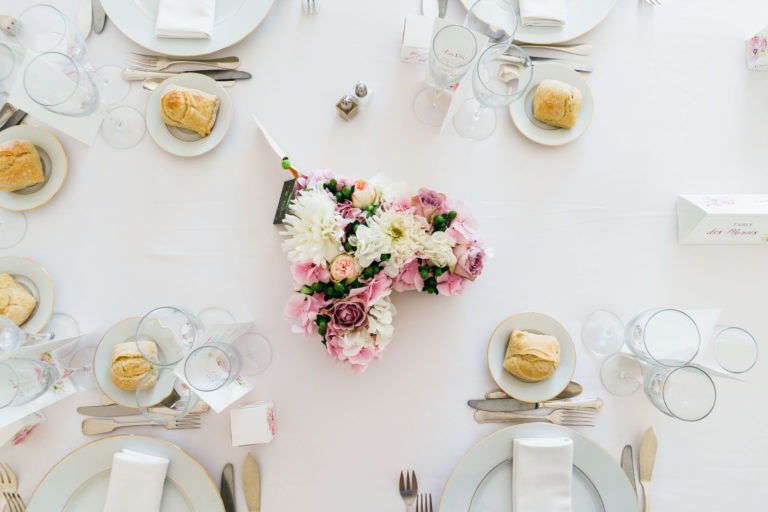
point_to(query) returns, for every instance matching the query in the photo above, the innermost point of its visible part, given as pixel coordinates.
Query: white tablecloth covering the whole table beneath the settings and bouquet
(585, 226)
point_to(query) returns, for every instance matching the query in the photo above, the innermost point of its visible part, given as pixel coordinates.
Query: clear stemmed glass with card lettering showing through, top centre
(453, 50)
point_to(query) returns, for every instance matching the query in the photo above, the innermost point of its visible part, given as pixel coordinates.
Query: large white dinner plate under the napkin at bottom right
(482, 477)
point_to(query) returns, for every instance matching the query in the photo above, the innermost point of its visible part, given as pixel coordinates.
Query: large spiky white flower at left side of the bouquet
(313, 228)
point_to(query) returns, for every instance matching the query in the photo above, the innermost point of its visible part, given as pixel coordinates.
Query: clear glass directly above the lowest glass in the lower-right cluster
(665, 337)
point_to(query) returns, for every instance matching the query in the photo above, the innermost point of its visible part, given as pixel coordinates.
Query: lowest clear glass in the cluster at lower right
(686, 393)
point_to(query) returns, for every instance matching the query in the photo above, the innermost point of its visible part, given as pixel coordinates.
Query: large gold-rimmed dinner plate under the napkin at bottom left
(78, 482)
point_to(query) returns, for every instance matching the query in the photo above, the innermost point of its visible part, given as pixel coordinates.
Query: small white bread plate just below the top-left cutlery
(178, 141)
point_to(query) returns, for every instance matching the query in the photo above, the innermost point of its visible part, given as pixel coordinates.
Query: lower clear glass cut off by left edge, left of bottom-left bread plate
(24, 380)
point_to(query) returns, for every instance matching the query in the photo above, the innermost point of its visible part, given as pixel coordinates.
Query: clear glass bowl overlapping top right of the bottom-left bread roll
(173, 329)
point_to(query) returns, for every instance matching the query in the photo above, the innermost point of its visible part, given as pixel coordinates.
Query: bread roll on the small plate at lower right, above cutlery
(532, 357)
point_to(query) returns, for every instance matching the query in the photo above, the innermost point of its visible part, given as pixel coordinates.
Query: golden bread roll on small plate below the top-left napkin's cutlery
(189, 108)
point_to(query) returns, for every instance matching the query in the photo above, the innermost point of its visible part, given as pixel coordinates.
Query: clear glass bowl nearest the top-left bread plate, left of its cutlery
(62, 85)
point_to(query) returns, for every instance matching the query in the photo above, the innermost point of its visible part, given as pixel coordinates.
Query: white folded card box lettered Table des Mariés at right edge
(722, 219)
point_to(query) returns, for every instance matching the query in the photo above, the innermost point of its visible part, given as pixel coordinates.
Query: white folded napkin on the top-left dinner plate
(188, 19)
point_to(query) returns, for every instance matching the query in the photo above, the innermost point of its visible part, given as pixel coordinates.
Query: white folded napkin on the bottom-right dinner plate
(541, 475)
